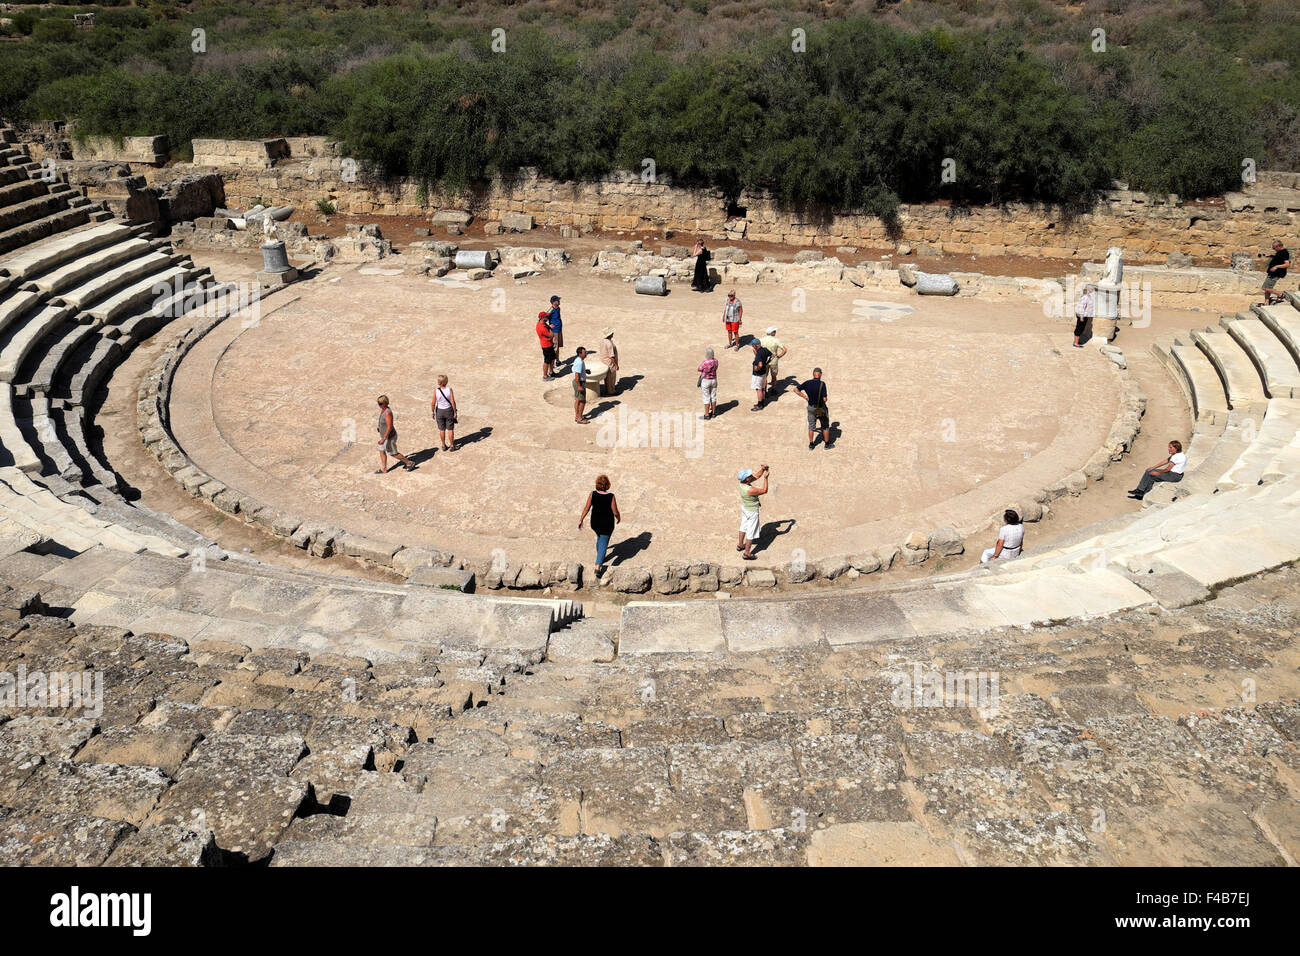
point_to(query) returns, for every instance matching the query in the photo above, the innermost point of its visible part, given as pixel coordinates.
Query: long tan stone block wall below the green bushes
(302, 171)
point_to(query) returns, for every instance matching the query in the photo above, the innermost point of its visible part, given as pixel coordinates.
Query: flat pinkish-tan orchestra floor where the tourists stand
(947, 412)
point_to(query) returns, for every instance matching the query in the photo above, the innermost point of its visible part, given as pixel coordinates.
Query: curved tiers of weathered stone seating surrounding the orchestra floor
(1133, 685)
